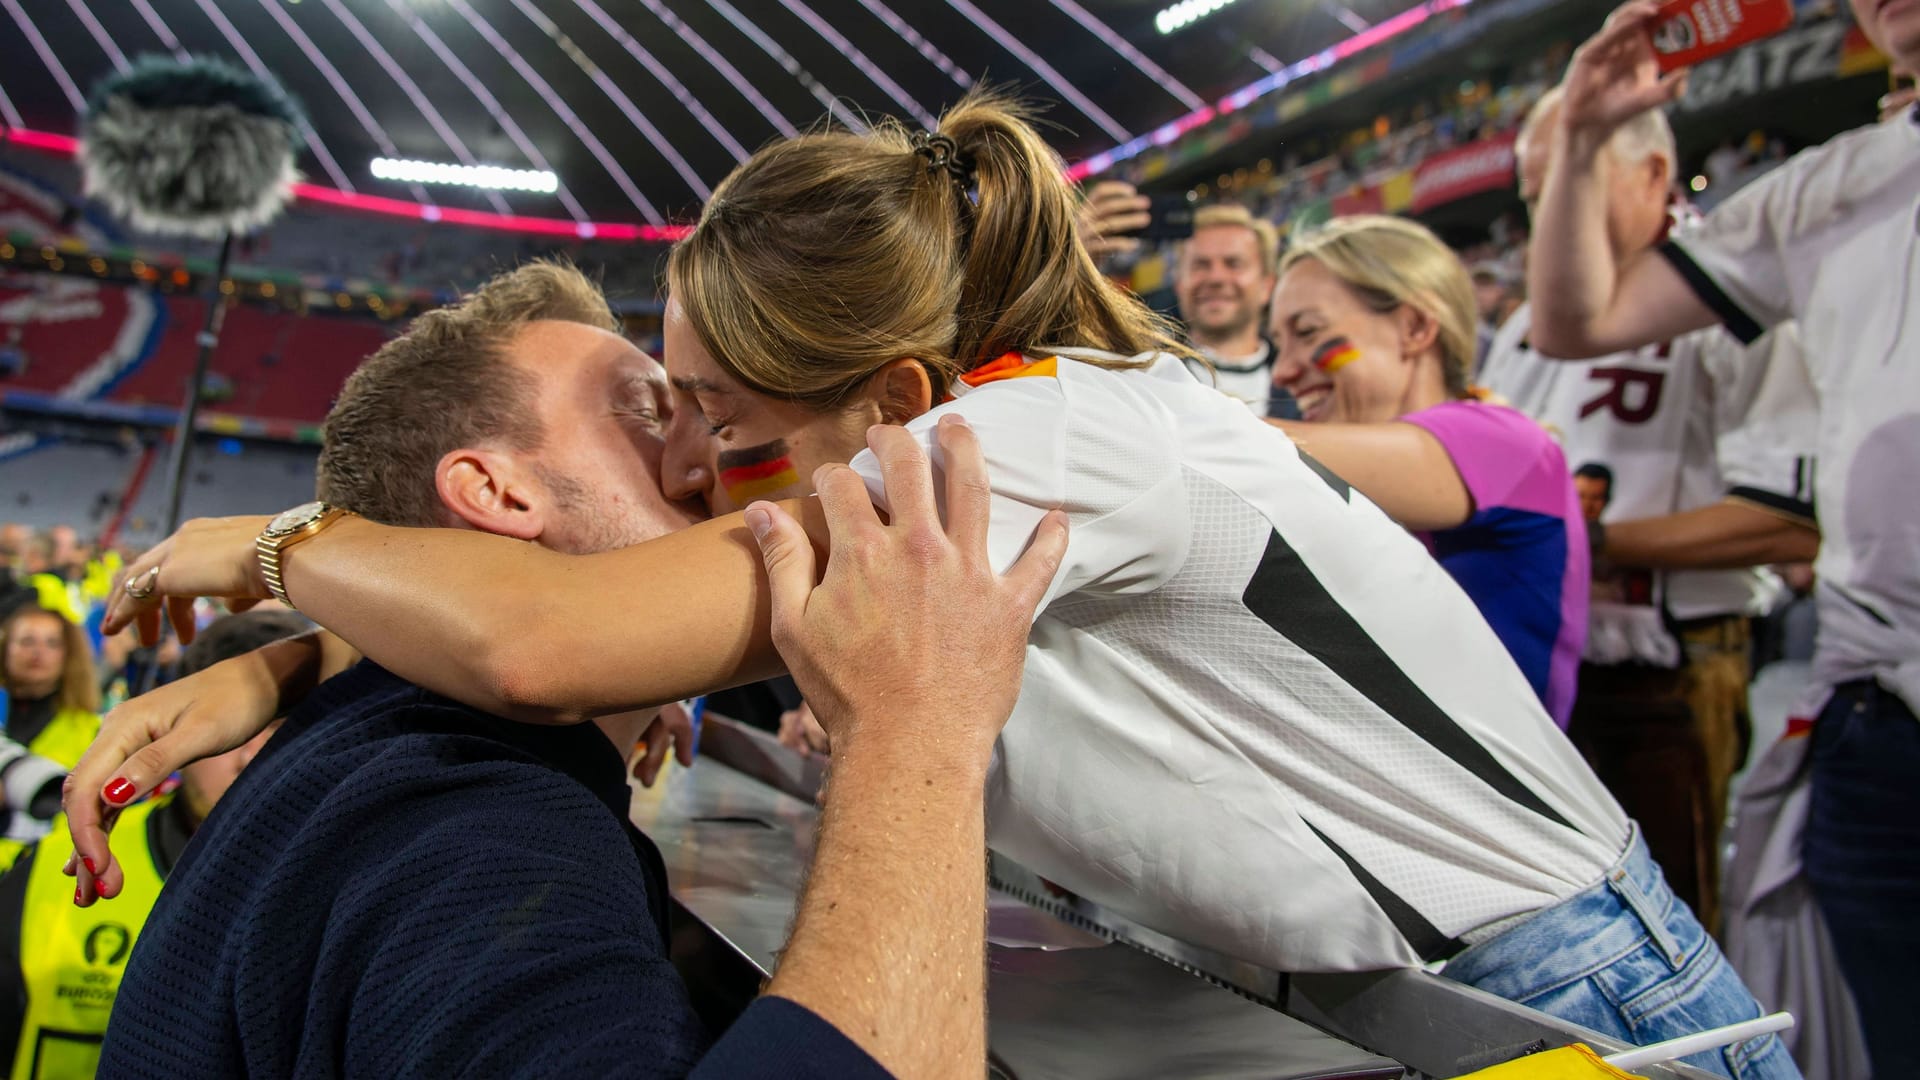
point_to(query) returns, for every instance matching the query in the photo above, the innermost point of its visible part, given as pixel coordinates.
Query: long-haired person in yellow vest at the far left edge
(51, 702)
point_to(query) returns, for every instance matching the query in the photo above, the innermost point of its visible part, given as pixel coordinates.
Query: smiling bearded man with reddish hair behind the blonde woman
(1224, 278)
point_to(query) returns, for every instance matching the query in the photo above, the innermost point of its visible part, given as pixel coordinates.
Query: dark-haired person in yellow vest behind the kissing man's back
(60, 966)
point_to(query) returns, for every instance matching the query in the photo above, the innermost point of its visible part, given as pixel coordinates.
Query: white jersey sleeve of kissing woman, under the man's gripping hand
(1128, 526)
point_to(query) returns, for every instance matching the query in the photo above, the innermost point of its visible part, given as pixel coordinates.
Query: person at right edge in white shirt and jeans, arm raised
(1831, 239)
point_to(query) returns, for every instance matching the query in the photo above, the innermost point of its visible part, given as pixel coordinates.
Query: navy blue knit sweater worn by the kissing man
(406, 887)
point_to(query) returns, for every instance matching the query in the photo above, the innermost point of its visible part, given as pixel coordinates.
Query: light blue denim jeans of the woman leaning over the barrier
(1627, 960)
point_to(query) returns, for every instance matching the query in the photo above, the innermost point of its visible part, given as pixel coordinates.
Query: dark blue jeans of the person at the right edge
(1861, 854)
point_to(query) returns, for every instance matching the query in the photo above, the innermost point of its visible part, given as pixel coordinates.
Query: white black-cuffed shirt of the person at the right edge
(1833, 239)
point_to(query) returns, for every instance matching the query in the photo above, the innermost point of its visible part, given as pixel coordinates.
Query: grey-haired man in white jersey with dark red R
(1710, 449)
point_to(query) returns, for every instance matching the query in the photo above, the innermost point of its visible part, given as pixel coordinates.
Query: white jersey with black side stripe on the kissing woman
(1257, 714)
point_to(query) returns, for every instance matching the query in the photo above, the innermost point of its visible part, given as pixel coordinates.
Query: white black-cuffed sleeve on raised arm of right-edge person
(1746, 258)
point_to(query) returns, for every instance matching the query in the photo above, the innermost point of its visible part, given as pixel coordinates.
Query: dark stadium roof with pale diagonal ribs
(640, 107)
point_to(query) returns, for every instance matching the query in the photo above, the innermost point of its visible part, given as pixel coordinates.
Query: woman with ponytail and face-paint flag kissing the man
(1255, 714)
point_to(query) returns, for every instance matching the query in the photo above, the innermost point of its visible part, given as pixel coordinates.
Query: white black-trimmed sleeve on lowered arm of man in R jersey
(1767, 420)
